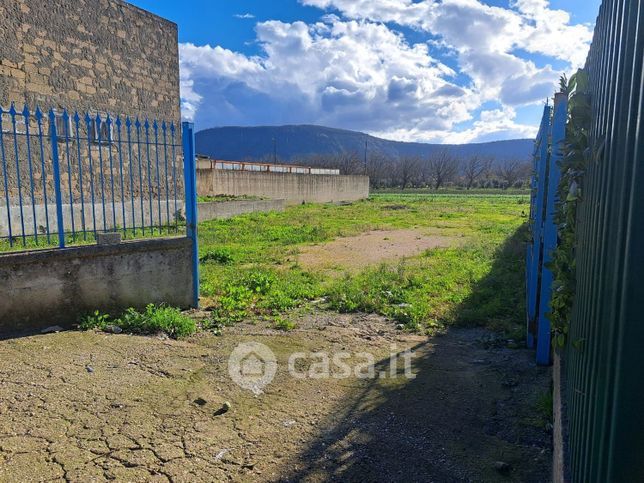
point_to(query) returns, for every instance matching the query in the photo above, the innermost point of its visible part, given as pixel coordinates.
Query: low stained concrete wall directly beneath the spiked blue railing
(42, 288)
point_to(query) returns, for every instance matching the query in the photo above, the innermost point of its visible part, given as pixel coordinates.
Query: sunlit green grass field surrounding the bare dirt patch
(249, 263)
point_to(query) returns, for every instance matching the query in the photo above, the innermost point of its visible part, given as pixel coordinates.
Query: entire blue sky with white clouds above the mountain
(448, 71)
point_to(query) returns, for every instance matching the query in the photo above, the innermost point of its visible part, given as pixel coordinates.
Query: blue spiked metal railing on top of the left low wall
(66, 176)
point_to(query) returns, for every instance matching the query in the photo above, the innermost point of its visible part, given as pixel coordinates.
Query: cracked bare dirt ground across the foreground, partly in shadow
(93, 407)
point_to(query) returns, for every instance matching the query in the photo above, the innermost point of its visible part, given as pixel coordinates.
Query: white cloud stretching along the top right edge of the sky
(473, 25)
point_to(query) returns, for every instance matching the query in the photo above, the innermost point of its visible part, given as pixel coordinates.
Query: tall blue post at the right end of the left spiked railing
(190, 179)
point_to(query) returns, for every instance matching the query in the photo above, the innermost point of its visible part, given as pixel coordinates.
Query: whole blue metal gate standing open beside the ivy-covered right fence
(545, 182)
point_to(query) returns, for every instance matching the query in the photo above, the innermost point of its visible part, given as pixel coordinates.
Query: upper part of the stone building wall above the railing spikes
(104, 55)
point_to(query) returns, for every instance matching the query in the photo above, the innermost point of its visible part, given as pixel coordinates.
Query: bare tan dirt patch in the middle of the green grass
(369, 248)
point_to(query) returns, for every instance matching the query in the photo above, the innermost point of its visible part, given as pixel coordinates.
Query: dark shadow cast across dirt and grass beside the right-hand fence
(470, 414)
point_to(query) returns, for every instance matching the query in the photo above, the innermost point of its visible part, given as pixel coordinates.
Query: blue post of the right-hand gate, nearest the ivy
(550, 228)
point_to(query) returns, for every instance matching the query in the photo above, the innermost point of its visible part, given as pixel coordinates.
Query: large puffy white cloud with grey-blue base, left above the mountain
(351, 74)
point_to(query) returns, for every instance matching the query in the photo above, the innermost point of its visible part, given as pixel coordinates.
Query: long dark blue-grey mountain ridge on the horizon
(296, 142)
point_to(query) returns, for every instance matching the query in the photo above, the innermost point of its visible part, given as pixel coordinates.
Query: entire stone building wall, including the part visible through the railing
(96, 56)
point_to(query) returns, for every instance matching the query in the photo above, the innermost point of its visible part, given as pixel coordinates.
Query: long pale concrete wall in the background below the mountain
(294, 188)
